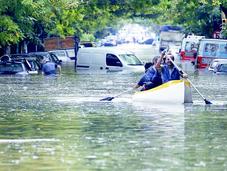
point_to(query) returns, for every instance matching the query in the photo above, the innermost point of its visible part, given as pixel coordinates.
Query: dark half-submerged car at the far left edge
(13, 68)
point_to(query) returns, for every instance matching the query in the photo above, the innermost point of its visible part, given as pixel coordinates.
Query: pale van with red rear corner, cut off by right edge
(210, 49)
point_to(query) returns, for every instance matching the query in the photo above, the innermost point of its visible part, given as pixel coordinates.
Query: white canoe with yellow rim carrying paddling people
(172, 92)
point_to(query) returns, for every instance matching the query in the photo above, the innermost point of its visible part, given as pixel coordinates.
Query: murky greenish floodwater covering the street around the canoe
(60, 124)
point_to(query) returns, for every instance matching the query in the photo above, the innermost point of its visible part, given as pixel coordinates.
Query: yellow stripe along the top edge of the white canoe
(166, 85)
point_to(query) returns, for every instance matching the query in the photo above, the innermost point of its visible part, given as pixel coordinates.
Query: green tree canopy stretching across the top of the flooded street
(33, 20)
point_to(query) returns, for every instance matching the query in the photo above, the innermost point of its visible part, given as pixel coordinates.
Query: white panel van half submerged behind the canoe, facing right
(108, 59)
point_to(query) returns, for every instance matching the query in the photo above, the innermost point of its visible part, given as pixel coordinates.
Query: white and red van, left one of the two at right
(189, 47)
